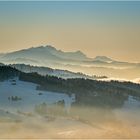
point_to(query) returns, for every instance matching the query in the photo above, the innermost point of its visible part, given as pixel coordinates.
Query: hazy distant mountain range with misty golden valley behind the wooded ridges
(48, 56)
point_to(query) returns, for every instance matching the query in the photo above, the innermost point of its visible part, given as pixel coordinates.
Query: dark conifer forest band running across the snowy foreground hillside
(88, 92)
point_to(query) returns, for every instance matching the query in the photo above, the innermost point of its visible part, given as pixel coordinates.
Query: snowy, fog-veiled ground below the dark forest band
(28, 113)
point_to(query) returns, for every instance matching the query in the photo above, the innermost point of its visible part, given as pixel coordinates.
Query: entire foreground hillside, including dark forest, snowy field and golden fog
(35, 106)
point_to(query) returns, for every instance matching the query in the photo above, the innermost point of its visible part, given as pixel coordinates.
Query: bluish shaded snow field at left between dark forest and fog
(29, 96)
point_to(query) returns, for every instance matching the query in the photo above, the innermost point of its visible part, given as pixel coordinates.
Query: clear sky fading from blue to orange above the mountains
(110, 28)
